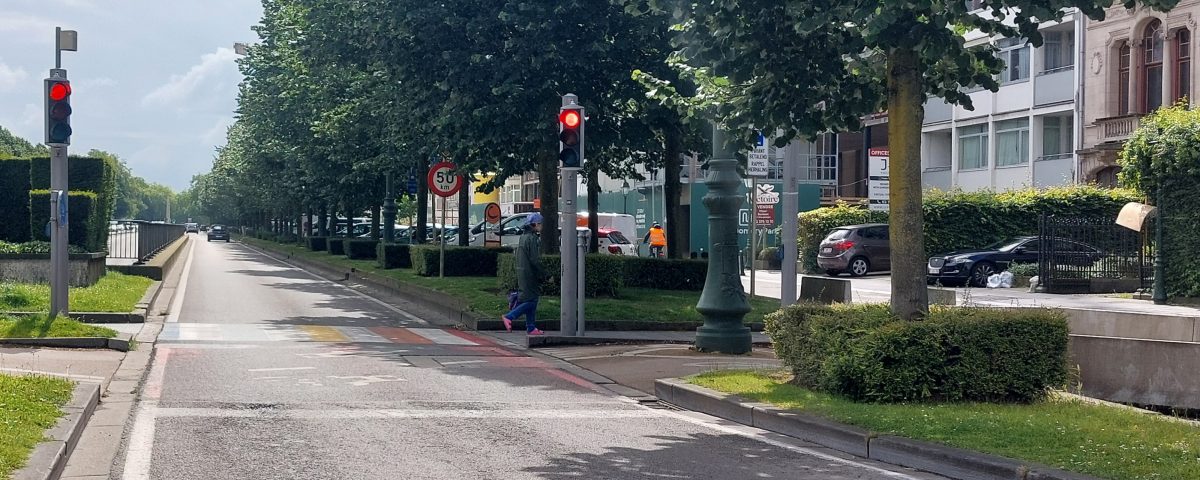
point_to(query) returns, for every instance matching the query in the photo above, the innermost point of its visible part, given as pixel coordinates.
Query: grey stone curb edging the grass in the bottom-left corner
(51, 457)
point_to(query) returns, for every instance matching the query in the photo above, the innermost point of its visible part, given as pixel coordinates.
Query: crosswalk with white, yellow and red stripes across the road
(327, 334)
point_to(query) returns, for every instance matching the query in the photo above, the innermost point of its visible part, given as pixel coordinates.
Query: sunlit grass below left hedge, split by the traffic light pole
(113, 293)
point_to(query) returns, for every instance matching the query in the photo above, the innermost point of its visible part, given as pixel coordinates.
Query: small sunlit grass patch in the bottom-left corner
(28, 407)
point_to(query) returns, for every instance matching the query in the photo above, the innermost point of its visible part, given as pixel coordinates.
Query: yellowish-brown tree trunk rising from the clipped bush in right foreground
(910, 295)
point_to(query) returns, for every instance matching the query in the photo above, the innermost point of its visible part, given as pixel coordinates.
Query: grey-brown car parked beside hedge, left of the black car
(856, 250)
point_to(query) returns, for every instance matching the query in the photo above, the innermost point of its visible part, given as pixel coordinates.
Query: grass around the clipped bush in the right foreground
(1064, 433)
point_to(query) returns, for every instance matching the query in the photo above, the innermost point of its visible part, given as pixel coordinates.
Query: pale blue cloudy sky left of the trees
(154, 81)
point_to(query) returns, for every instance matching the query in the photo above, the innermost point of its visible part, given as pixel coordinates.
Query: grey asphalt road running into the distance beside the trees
(267, 373)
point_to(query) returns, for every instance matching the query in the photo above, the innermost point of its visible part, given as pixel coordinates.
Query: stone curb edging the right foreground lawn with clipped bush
(947, 461)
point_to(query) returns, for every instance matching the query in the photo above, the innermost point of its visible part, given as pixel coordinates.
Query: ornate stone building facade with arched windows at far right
(1137, 61)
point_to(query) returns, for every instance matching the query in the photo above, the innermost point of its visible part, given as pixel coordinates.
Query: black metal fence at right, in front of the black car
(1093, 256)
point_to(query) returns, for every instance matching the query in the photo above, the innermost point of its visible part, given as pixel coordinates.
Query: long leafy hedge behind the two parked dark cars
(958, 220)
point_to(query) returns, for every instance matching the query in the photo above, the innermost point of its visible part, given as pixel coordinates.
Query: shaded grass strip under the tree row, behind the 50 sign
(483, 295)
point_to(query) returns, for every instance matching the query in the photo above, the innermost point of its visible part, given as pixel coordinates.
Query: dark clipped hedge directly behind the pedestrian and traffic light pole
(605, 274)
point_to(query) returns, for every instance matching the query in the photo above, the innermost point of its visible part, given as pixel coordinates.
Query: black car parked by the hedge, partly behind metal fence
(974, 267)
